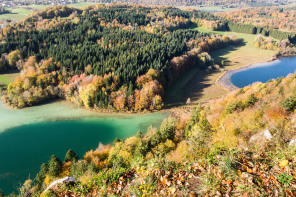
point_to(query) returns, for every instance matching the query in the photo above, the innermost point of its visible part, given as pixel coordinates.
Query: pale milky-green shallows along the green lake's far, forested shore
(58, 111)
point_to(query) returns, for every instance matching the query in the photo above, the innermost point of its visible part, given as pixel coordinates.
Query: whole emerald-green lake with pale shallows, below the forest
(28, 137)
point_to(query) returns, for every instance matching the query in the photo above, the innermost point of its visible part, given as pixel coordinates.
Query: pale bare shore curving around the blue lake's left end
(224, 80)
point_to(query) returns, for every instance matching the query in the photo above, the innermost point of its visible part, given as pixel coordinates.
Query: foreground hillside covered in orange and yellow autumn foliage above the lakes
(240, 145)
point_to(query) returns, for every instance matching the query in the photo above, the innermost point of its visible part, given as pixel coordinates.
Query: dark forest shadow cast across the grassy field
(194, 81)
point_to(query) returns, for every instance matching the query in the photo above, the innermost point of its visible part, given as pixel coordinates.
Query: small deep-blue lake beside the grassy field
(262, 72)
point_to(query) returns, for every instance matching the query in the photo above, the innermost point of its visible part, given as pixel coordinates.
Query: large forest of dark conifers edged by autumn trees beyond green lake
(115, 58)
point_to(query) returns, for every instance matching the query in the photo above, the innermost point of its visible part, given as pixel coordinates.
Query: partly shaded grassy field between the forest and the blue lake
(201, 85)
